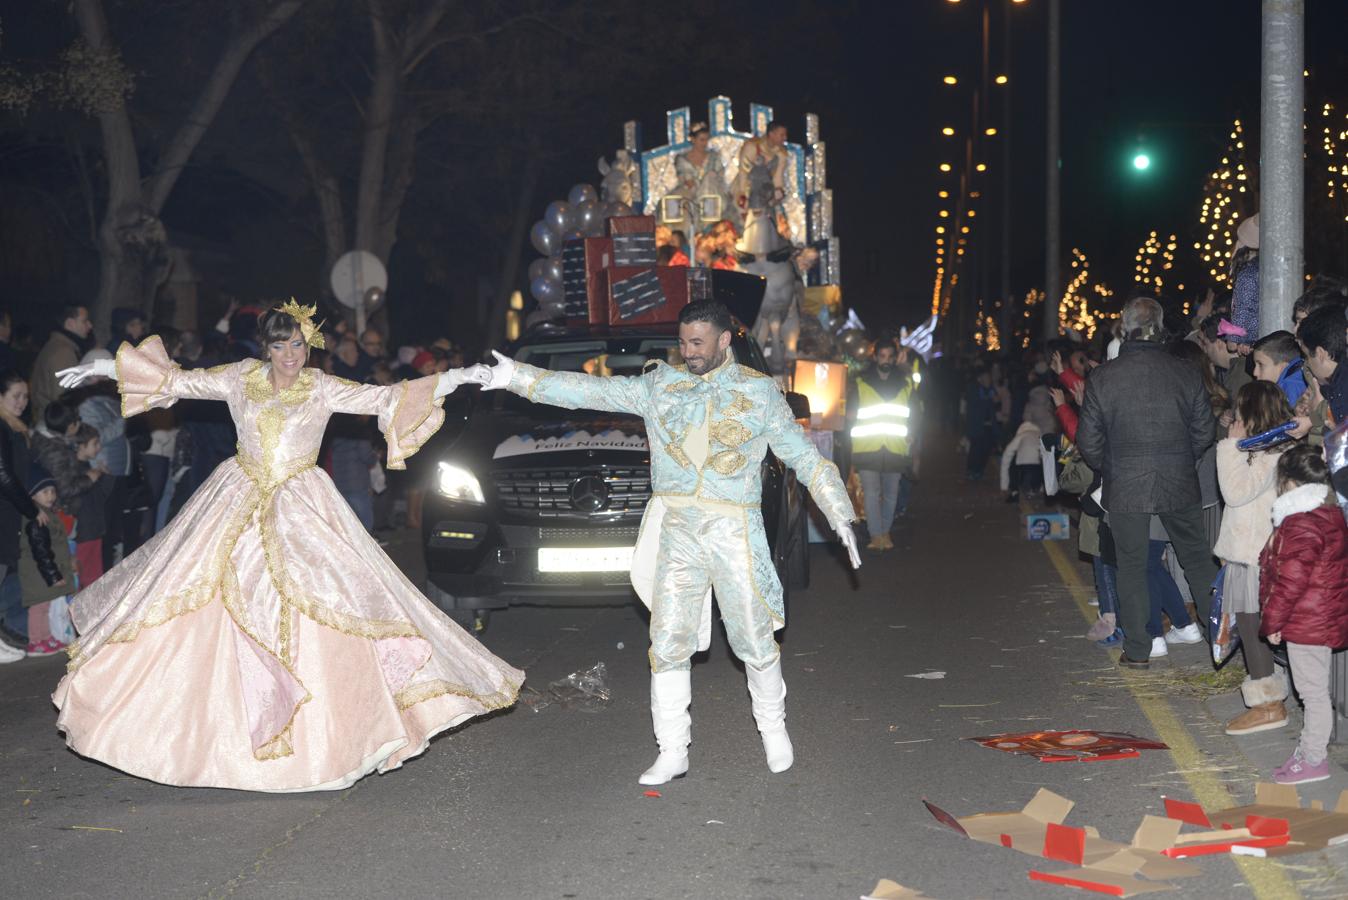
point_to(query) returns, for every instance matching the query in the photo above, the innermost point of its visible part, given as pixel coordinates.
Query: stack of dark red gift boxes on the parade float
(615, 281)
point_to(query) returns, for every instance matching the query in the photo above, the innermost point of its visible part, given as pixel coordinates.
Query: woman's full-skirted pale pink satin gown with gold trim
(264, 641)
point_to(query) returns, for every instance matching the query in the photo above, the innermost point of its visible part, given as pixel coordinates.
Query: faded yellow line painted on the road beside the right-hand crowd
(1266, 878)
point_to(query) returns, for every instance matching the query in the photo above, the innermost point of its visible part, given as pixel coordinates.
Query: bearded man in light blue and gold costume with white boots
(710, 424)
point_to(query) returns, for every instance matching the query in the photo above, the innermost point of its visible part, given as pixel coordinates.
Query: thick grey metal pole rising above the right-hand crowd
(1281, 166)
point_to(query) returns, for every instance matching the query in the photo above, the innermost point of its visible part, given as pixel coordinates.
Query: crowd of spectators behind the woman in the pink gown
(82, 487)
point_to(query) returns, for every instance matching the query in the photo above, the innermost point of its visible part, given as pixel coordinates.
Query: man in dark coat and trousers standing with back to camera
(1145, 424)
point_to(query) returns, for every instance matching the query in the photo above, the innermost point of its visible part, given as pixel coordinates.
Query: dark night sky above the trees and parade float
(1167, 76)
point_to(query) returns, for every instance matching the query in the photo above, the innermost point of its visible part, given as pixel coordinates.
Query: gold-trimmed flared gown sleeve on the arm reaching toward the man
(409, 412)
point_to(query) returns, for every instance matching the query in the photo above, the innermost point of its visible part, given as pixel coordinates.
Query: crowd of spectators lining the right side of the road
(1186, 496)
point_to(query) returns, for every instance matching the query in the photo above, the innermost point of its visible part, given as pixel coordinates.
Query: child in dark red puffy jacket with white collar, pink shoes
(1304, 599)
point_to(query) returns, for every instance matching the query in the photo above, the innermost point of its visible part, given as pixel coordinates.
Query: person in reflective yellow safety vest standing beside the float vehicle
(881, 424)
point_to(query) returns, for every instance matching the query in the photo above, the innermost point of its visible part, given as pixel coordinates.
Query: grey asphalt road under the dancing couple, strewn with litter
(547, 805)
